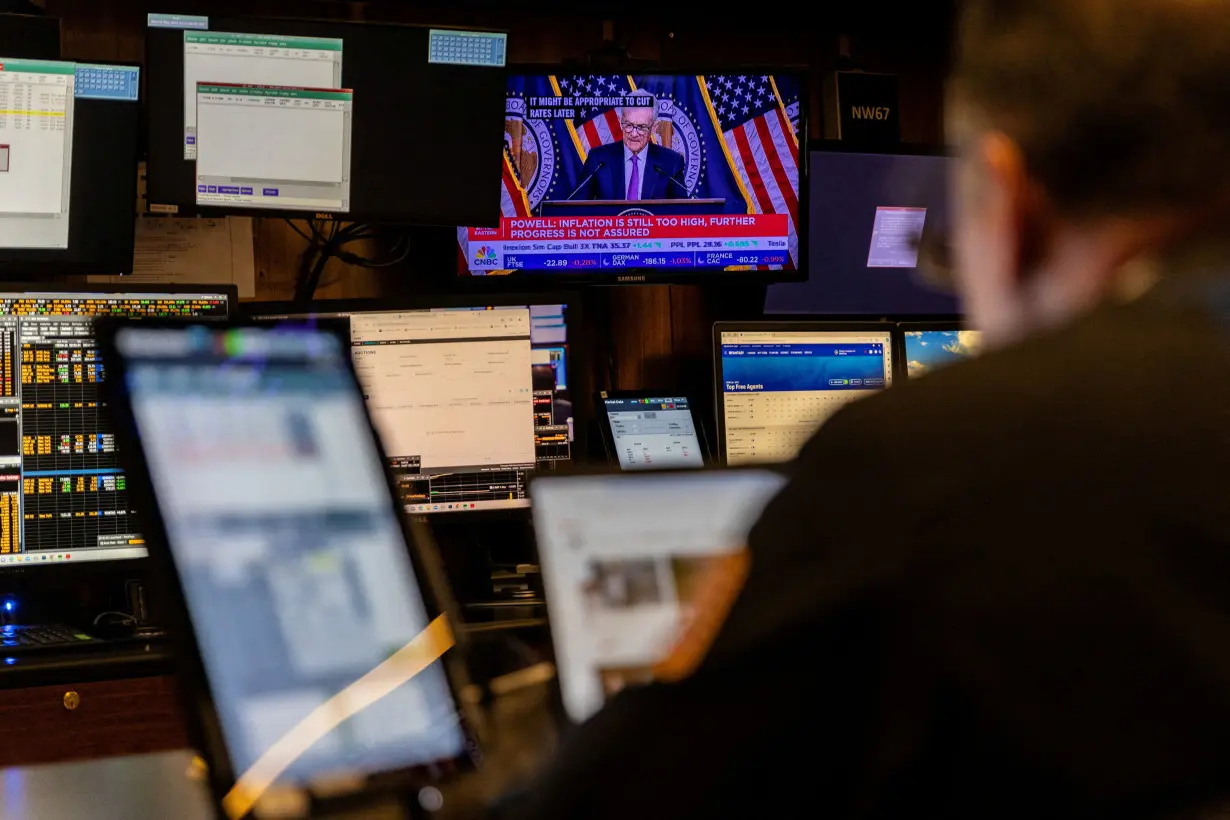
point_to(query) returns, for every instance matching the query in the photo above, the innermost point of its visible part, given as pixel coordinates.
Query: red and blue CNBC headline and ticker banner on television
(612, 243)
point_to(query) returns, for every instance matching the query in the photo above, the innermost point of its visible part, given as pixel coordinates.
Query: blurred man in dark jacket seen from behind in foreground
(1003, 591)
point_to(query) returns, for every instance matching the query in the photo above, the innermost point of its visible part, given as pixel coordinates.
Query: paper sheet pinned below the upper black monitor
(192, 253)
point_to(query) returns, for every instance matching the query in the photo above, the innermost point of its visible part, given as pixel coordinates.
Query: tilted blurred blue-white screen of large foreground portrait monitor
(286, 542)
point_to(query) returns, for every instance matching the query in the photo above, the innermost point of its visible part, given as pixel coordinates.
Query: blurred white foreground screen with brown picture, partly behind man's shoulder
(624, 556)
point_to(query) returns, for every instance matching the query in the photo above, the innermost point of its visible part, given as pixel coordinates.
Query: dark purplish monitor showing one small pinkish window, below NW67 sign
(868, 216)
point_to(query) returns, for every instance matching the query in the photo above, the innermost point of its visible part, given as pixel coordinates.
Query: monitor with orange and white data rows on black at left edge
(63, 490)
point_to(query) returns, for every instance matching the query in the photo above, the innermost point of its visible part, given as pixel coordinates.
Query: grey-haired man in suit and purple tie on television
(634, 169)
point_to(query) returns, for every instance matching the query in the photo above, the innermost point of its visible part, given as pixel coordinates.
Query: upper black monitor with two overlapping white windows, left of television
(324, 119)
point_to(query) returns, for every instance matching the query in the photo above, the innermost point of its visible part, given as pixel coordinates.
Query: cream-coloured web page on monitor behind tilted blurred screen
(452, 388)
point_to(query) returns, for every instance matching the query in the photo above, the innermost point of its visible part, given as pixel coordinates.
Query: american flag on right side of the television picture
(762, 144)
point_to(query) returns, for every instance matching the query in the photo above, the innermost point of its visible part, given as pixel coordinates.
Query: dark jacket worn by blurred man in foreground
(1001, 591)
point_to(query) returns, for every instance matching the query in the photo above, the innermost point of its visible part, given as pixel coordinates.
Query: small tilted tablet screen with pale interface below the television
(654, 433)
